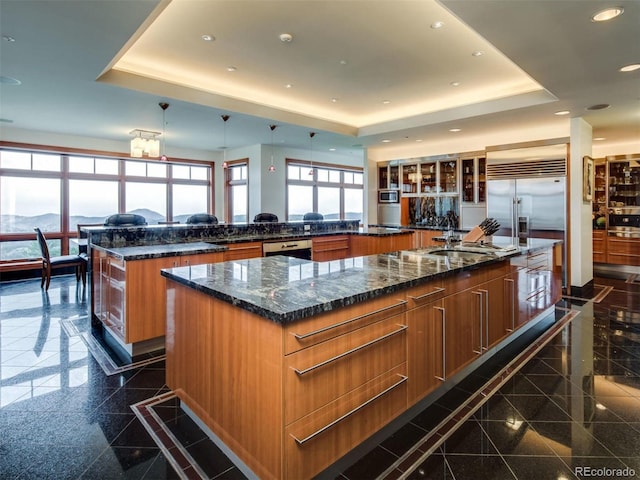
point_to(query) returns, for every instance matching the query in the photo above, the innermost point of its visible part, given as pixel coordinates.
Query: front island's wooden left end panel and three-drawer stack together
(318, 387)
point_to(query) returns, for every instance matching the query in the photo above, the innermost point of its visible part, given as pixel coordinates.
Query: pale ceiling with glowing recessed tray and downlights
(98, 68)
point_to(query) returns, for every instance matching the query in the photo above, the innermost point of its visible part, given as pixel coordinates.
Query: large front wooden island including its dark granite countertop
(291, 364)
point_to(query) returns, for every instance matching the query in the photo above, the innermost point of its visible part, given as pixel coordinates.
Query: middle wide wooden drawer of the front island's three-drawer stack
(320, 374)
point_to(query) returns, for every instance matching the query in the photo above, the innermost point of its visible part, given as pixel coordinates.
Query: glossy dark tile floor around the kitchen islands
(571, 409)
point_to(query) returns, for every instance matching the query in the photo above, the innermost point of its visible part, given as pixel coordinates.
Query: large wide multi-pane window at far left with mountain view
(57, 191)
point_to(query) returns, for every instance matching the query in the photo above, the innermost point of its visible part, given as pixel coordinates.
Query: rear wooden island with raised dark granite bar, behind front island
(128, 293)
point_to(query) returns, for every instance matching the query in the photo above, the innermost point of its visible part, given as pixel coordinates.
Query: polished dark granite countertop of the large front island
(285, 289)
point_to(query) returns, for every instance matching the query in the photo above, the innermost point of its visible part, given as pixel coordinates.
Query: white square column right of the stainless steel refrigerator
(579, 211)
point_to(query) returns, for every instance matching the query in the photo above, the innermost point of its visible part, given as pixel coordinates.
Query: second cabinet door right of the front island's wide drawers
(462, 329)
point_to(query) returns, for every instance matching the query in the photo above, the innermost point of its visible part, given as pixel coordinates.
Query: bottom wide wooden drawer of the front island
(318, 440)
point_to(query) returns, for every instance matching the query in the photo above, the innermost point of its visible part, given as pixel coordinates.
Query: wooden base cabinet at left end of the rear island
(131, 296)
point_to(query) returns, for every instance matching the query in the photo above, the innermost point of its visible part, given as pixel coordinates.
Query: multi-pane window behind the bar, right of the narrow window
(335, 192)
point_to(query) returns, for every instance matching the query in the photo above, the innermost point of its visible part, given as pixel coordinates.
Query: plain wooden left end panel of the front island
(225, 364)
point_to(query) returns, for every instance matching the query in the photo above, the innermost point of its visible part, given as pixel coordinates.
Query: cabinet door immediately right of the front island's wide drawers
(425, 337)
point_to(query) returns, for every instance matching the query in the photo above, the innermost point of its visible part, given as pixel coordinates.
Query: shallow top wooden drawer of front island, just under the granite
(326, 326)
